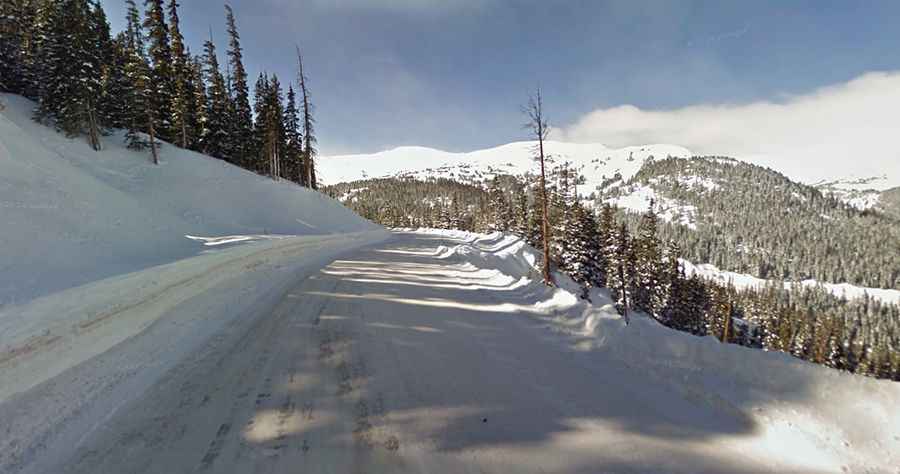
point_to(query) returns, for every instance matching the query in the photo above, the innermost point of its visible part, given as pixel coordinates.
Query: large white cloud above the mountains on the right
(846, 130)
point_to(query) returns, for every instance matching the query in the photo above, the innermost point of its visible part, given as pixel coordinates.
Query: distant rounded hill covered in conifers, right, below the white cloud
(751, 219)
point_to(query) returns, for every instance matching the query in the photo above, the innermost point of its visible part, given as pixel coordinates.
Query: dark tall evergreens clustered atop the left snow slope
(145, 80)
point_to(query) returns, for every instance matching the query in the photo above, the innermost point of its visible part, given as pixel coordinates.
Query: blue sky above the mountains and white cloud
(453, 74)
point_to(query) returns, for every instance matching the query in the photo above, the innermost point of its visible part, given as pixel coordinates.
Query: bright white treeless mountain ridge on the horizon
(595, 162)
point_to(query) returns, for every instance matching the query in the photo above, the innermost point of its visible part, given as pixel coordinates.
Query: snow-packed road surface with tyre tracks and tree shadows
(392, 358)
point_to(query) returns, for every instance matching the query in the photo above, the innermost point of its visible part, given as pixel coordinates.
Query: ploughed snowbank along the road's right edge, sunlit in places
(835, 420)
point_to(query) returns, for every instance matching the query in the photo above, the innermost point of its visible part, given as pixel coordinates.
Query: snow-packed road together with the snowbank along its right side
(430, 352)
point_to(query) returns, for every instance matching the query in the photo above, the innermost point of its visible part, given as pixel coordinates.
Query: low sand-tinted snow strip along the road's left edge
(53, 333)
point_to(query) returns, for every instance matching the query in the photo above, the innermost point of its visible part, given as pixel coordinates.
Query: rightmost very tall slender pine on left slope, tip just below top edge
(241, 133)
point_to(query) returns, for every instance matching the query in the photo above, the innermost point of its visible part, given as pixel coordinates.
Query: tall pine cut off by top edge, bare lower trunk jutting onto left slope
(161, 89)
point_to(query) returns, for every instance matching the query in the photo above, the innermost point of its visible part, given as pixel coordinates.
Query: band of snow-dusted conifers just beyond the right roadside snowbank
(643, 272)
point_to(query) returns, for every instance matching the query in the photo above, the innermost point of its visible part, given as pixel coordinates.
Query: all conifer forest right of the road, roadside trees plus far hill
(692, 209)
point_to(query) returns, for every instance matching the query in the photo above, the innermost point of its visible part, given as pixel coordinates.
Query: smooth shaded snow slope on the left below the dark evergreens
(70, 215)
